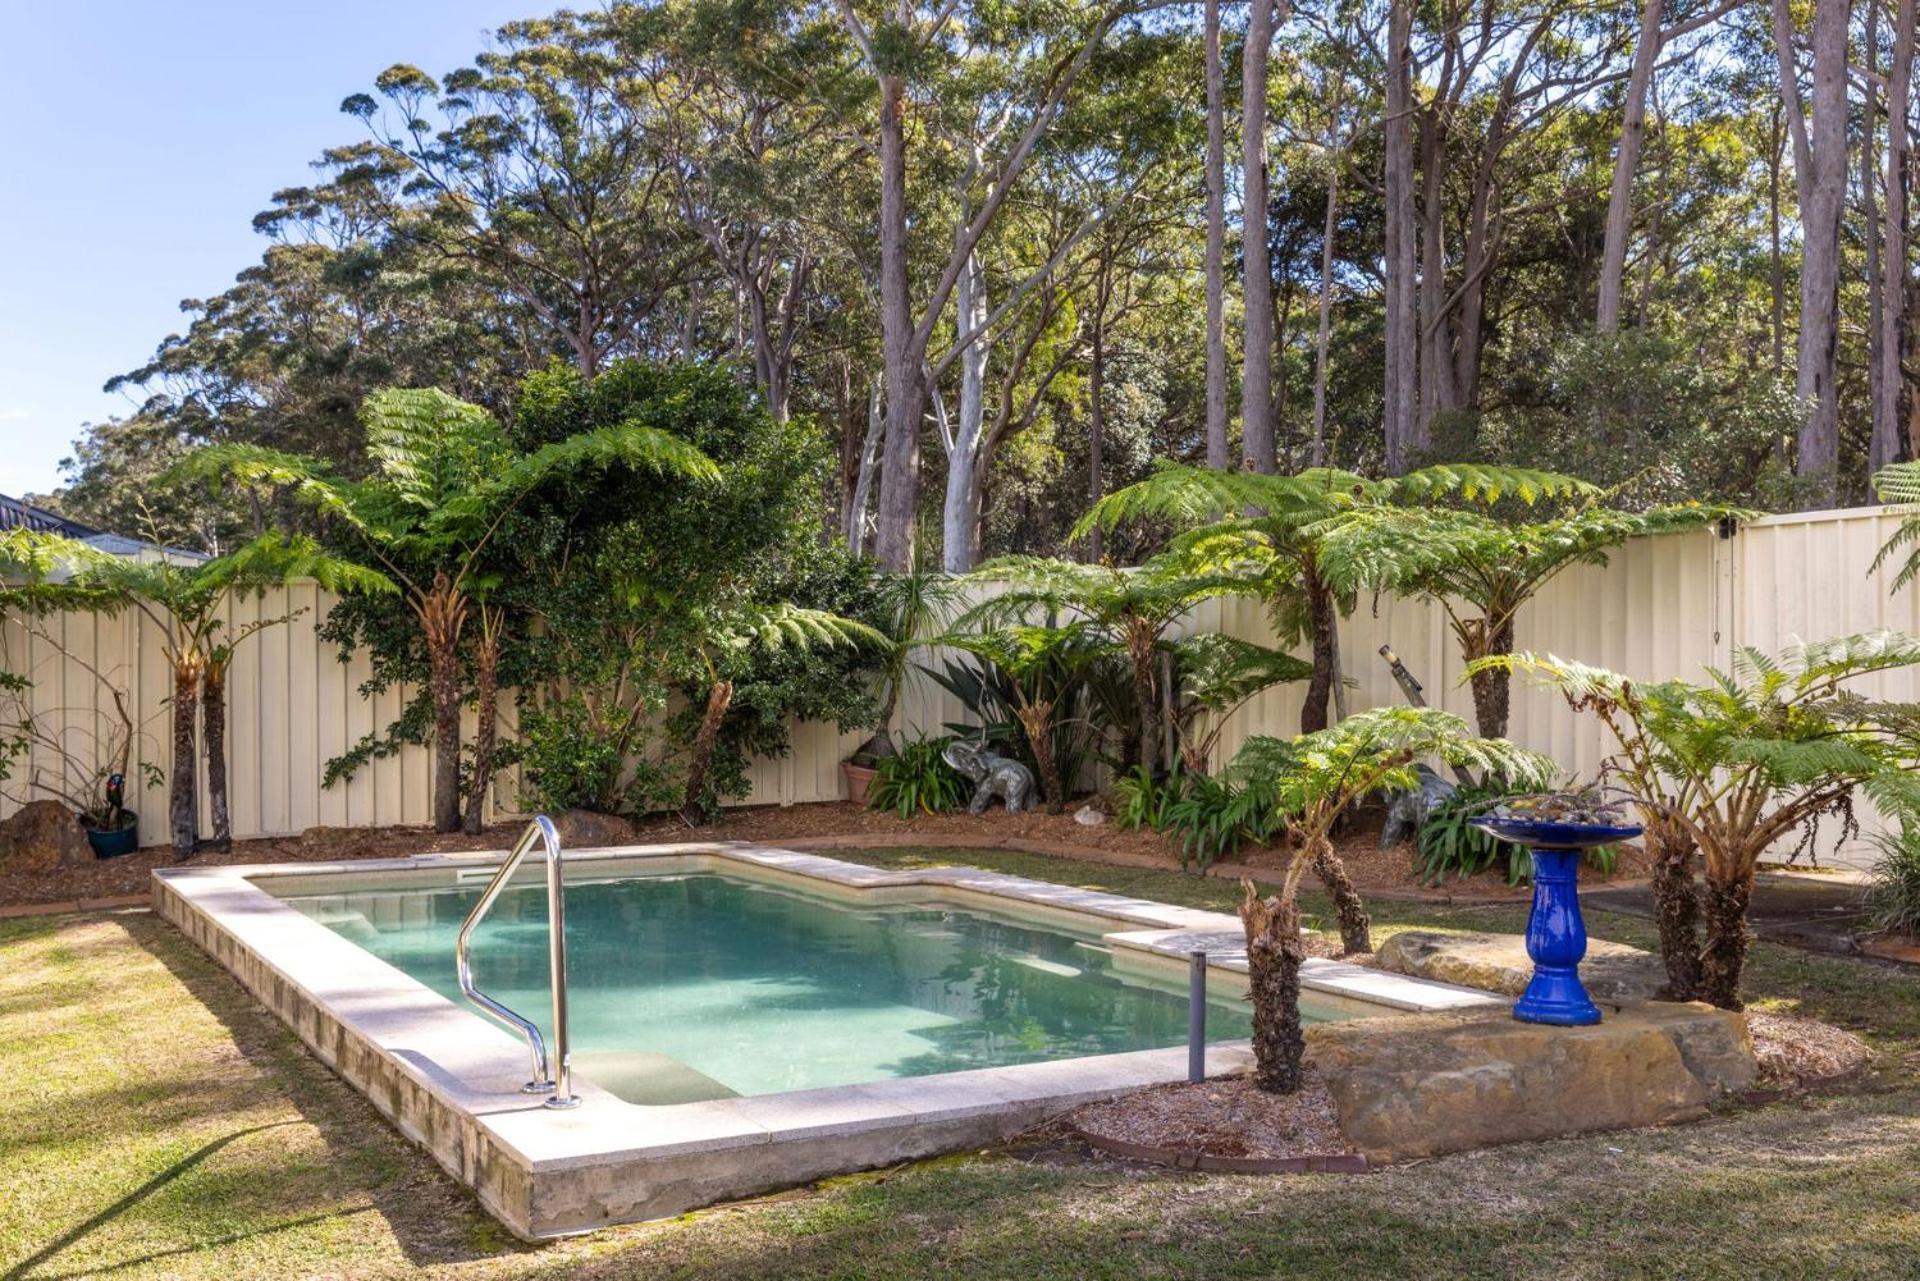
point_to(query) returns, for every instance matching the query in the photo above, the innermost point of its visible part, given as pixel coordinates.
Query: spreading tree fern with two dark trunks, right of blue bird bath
(1737, 763)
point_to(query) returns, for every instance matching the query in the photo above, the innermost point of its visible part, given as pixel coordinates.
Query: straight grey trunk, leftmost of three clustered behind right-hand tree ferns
(1403, 339)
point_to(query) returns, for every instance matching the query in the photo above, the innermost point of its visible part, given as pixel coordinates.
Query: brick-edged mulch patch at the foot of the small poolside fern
(1226, 1124)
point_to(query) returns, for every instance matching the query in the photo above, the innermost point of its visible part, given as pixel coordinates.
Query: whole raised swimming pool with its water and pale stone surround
(744, 1019)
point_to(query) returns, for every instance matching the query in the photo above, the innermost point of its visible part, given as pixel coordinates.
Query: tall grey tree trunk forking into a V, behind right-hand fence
(1823, 181)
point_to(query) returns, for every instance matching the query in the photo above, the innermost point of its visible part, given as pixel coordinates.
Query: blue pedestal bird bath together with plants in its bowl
(1558, 829)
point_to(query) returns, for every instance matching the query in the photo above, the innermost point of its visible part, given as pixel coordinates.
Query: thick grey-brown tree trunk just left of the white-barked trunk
(900, 481)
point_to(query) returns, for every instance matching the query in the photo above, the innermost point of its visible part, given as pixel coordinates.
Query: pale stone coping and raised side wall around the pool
(450, 1080)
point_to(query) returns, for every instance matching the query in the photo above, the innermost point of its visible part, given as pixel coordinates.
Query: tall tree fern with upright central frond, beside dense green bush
(443, 483)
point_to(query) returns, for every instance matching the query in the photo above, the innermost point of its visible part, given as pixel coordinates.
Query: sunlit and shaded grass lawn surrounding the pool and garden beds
(162, 1124)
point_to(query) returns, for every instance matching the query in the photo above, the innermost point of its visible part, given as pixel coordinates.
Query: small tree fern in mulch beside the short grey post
(1312, 781)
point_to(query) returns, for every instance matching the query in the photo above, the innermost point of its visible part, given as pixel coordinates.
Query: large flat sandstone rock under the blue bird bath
(1451, 1082)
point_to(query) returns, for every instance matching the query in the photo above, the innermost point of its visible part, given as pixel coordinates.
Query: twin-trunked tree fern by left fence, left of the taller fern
(189, 604)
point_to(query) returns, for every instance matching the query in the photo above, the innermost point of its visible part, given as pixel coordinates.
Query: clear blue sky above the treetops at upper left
(141, 141)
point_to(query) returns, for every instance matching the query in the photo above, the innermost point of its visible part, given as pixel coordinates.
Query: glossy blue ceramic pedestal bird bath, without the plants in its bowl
(1556, 932)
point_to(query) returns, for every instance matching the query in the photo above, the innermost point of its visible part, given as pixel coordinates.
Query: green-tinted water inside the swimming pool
(708, 986)
